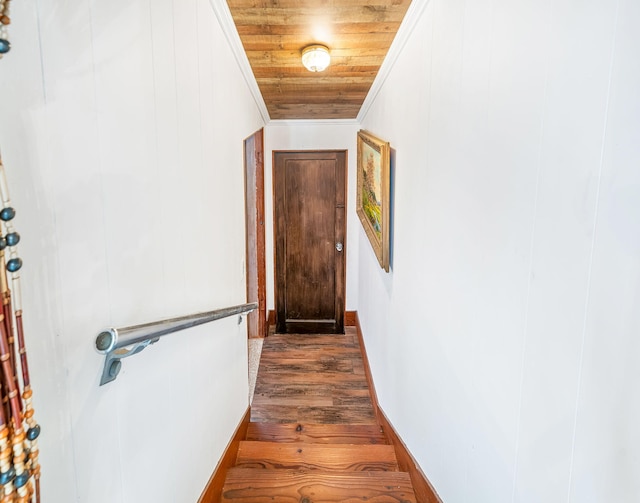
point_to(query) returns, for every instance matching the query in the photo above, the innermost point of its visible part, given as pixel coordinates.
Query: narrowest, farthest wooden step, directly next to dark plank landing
(317, 433)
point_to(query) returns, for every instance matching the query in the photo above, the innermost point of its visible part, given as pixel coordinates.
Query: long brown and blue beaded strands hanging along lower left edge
(19, 465)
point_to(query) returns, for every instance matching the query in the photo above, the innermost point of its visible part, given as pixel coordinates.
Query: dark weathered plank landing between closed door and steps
(312, 379)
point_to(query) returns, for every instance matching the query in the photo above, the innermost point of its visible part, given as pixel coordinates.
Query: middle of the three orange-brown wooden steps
(326, 457)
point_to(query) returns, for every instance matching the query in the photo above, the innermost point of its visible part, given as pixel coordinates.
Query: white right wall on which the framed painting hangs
(504, 342)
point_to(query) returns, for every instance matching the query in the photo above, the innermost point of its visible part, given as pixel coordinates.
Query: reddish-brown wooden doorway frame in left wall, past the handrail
(255, 233)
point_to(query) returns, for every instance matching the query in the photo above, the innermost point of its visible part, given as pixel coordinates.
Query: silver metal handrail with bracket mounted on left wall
(119, 343)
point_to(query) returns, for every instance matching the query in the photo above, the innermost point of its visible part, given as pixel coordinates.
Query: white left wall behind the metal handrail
(121, 132)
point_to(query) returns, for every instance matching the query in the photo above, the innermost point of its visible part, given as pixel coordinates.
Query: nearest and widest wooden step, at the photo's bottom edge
(245, 485)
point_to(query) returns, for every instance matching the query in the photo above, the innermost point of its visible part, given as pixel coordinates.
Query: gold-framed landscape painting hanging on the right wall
(372, 199)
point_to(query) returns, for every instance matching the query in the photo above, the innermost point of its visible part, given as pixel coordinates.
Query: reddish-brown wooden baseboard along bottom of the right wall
(425, 493)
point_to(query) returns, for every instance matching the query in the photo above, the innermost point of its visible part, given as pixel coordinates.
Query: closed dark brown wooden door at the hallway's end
(310, 192)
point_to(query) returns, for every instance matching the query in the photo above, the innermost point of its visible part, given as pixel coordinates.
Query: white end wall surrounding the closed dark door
(314, 135)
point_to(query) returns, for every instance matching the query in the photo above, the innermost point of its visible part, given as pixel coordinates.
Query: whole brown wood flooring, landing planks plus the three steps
(313, 435)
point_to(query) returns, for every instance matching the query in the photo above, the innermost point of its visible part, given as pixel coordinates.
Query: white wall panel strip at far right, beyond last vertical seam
(605, 443)
